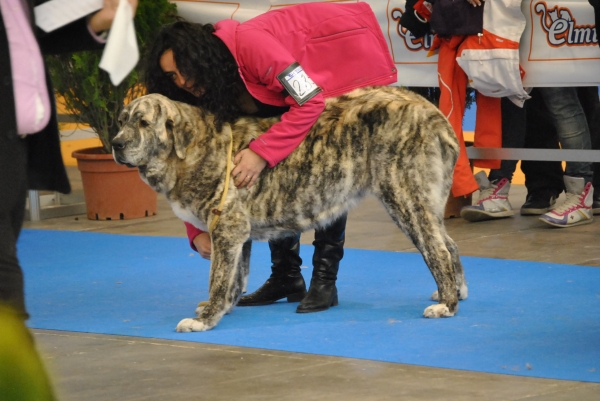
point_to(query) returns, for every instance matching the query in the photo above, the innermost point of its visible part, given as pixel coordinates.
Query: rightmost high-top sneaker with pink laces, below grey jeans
(577, 207)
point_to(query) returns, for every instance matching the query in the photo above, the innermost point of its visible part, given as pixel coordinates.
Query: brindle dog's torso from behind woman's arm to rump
(367, 140)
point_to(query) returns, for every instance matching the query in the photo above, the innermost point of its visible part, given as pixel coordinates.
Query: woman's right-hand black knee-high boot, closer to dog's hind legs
(329, 250)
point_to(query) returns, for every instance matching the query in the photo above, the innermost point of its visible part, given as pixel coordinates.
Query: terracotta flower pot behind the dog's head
(113, 191)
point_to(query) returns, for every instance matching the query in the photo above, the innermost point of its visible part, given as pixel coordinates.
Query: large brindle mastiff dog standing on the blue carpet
(385, 141)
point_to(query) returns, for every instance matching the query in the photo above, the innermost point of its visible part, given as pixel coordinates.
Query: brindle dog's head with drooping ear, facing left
(151, 128)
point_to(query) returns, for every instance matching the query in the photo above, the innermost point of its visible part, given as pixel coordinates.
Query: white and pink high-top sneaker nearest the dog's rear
(493, 200)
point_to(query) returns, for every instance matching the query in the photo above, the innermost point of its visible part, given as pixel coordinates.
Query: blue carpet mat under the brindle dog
(521, 318)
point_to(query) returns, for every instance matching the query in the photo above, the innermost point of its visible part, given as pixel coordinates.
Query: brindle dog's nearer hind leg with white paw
(424, 226)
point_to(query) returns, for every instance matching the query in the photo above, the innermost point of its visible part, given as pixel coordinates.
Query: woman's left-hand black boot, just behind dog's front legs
(286, 279)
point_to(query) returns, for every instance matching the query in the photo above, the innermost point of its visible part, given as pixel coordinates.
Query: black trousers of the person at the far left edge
(13, 194)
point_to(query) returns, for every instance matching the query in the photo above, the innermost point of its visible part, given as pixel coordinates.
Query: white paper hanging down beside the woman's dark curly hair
(121, 52)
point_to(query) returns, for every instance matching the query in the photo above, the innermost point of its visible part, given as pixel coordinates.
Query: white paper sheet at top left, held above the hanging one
(56, 13)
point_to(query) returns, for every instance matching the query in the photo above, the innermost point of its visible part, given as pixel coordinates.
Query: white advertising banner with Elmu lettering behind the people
(559, 46)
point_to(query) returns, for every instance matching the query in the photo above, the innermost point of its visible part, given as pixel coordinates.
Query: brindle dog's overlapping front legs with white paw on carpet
(230, 251)
